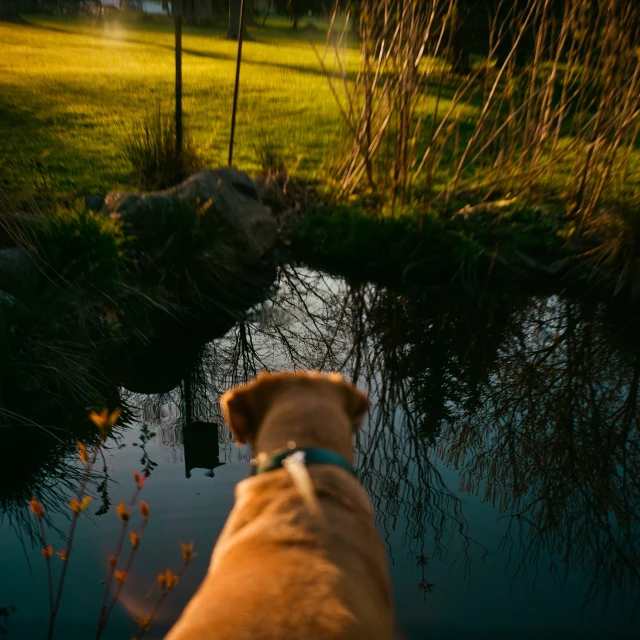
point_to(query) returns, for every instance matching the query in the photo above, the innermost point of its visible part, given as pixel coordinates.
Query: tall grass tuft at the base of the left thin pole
(151, 151)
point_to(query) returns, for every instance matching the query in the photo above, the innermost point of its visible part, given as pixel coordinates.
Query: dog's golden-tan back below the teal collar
(281, 571)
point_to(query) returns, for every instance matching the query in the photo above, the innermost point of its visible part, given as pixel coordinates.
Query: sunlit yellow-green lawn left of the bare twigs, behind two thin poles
(70, 91)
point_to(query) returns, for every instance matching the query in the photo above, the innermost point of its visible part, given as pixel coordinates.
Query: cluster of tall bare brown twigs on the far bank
(550, 102)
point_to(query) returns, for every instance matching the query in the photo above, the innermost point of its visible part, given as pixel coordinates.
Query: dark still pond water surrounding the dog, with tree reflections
(501, 454)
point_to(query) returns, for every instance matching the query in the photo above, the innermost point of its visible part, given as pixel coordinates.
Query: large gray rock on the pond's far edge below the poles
(227, 194)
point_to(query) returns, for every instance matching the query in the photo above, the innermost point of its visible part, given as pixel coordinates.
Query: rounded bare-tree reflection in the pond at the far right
(554, 444)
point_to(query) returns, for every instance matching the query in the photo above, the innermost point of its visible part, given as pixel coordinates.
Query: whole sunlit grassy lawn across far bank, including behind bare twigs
(72, 90)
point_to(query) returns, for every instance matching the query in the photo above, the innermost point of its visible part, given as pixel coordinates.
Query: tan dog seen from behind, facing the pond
(278, 571)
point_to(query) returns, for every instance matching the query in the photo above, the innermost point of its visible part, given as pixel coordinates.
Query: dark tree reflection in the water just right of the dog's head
(420, 355)
